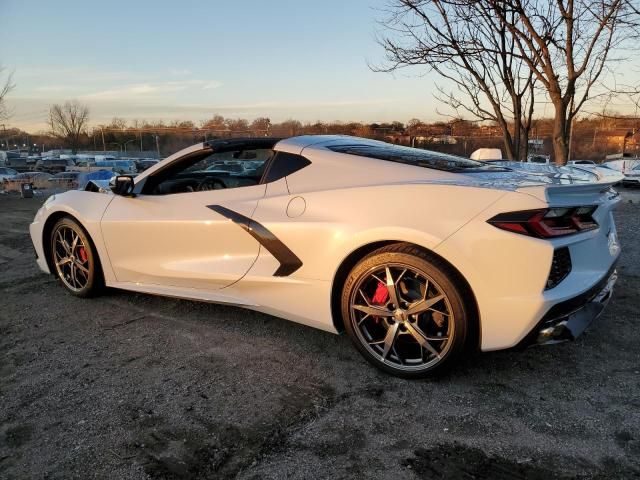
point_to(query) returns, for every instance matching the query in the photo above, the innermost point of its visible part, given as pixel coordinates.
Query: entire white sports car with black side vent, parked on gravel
(419, 256)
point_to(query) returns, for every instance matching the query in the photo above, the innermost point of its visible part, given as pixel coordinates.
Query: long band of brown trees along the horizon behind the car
(593, 137)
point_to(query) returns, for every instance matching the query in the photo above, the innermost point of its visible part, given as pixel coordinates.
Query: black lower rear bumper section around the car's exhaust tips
(567, 320)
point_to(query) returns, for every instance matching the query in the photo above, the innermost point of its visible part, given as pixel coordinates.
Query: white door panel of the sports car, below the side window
(167, 240)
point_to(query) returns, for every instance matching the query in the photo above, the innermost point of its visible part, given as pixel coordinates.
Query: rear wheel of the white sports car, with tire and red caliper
(449, 318)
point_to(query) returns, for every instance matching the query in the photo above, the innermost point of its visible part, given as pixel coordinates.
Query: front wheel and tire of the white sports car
(84, 256)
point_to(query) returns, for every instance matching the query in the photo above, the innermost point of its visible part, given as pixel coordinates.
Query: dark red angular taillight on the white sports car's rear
(547, 222)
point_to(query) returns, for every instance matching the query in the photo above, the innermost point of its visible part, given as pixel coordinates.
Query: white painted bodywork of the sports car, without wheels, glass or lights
(174, 245)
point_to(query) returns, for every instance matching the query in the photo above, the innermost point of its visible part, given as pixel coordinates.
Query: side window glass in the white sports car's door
(214, 171)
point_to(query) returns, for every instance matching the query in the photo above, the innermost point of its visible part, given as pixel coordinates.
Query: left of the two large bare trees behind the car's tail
(465, 43)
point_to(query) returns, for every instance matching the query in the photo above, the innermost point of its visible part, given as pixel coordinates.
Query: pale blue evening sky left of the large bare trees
(191, 59)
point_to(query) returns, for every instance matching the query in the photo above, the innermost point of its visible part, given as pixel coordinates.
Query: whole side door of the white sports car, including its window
(178, 229)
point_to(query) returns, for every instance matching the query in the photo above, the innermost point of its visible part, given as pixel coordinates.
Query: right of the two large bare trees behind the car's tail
(568, 45)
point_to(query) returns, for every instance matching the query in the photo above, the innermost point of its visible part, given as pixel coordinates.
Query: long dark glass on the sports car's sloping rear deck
(412, 156)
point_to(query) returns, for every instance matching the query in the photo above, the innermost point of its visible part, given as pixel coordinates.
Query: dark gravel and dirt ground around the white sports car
(135, 386)
